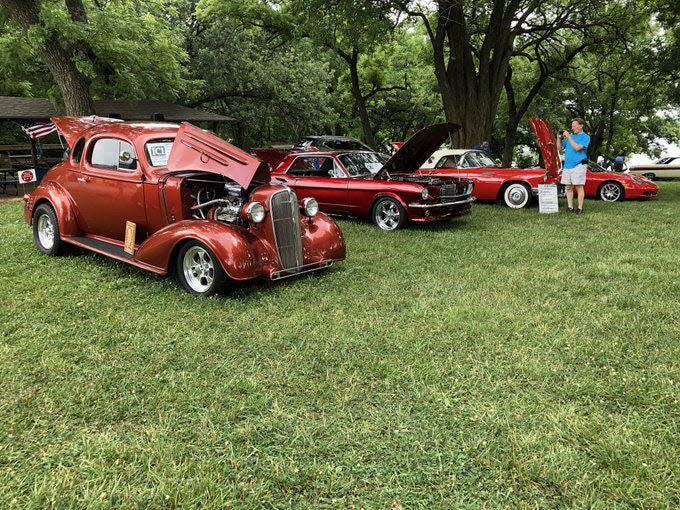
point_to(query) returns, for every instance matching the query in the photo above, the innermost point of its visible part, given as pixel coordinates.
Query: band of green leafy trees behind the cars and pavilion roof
(375, 69)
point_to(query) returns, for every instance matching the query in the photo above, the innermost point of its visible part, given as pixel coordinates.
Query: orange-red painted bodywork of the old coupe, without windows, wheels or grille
(95, 202)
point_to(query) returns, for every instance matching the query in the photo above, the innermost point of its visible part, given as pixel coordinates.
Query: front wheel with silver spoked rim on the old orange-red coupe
(198, 270)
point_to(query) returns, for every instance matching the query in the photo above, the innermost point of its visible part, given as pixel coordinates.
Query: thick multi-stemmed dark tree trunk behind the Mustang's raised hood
(474, 42)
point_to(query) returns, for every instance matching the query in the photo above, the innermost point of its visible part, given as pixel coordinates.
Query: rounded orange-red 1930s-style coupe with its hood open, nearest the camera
(174, 198)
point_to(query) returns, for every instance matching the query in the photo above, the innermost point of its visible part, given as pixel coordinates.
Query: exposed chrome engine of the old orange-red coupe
(215, 200)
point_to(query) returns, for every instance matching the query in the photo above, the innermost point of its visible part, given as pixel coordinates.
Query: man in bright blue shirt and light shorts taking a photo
(575, 158)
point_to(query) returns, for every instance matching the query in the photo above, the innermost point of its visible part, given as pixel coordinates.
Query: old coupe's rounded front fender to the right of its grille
(322, 239)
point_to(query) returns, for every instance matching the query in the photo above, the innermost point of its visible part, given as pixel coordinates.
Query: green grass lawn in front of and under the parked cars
(506, 359)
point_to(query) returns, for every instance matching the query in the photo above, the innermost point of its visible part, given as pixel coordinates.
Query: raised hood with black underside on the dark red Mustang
(415, 151)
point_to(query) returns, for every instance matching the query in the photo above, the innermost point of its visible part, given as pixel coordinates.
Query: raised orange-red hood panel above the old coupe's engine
(197, 149)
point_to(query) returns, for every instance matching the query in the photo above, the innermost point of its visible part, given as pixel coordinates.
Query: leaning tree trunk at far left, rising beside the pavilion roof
(74, 86)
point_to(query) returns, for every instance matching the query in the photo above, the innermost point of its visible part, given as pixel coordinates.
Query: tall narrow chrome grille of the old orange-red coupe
(285, 213)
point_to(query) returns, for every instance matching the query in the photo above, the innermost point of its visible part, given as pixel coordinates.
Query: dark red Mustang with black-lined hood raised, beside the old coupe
(368, 185)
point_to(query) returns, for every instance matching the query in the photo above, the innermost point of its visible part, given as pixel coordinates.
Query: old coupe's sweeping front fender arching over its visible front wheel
(242, 257)
